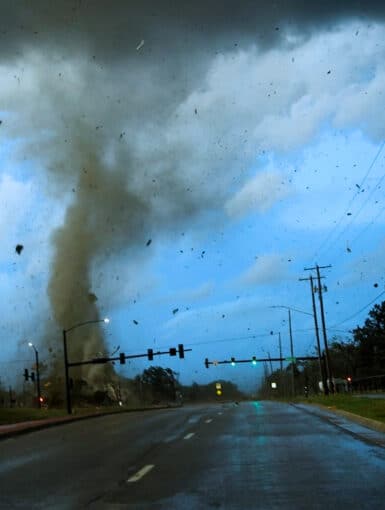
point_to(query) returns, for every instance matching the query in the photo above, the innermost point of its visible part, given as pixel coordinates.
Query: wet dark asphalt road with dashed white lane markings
(250, 456)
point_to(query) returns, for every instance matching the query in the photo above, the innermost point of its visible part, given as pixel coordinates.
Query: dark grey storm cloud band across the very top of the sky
(111, 29)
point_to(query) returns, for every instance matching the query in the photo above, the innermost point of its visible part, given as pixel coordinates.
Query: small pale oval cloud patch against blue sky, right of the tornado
(258, 194)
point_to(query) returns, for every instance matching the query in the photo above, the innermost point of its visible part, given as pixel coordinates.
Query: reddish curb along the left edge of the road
(32, 426)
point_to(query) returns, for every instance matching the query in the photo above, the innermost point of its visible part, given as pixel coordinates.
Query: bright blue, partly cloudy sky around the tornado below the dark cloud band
(275, 154)
